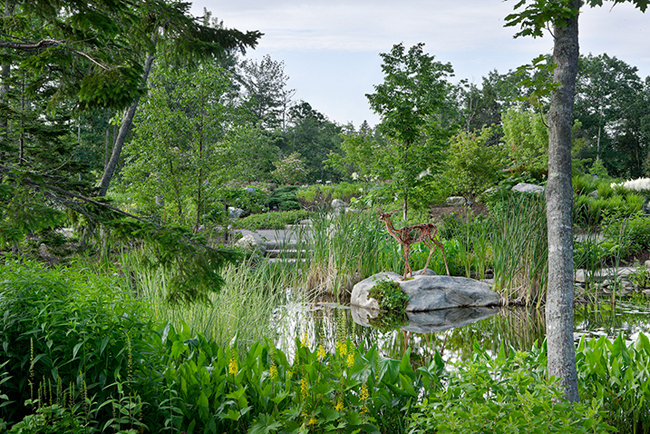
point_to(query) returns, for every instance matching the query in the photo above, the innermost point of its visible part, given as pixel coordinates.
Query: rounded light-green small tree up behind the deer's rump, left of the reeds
(472, 166)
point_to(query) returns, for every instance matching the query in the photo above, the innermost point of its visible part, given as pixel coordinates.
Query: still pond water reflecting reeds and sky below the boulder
(517, 328)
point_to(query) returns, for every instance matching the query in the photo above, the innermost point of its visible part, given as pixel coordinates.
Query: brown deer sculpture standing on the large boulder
(424, 232)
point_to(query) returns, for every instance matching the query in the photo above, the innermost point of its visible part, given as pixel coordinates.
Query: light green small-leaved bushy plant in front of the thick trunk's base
(505, 394)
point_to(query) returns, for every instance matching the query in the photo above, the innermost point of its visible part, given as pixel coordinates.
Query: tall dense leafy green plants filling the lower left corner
(75, 345)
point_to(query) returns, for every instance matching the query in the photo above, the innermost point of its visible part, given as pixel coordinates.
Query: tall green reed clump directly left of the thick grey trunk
(520, 247)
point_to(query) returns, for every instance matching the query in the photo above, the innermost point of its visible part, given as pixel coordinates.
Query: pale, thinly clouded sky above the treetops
(330, 48)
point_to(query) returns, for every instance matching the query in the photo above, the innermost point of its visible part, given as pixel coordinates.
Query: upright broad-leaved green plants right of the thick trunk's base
(615, 374)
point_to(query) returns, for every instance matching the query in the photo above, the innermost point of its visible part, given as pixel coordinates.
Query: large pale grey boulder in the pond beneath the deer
(429, 292)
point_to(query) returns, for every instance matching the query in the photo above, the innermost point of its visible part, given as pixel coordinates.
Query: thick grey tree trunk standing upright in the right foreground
(559, 197)
